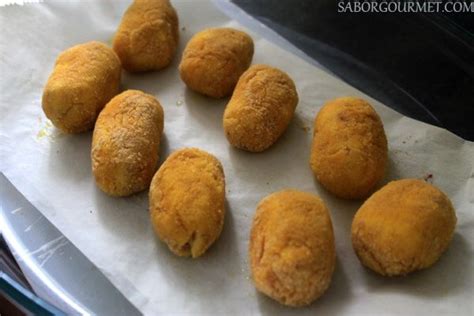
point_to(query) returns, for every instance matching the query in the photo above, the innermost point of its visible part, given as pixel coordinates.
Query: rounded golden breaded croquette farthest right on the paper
(403, 227)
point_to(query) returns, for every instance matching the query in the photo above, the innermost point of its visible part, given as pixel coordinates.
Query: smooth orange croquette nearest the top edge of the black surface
(214, 59)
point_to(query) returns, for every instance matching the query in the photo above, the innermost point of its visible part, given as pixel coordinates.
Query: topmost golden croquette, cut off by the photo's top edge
(148, 35)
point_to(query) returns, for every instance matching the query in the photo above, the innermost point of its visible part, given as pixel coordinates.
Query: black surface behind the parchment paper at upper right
(420, 64)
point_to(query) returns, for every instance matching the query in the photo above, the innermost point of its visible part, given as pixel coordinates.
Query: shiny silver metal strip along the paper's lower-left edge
(55, 268)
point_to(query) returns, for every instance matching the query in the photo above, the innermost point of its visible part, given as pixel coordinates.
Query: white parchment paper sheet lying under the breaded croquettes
(54, 172)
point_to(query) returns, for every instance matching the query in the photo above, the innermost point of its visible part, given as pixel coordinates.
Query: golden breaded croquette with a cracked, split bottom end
(187, 197)
